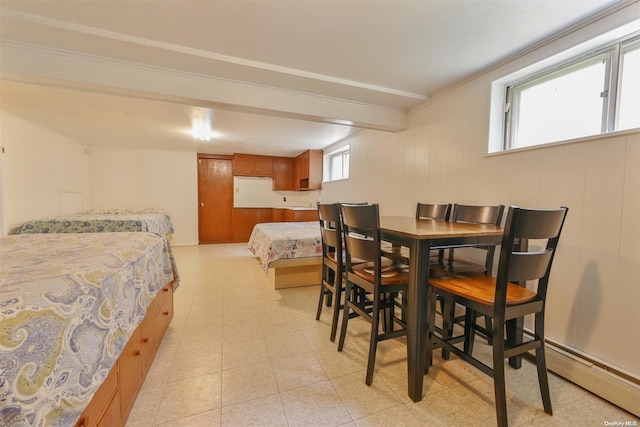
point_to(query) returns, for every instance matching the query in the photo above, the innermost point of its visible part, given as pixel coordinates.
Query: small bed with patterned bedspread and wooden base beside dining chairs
(289, 252)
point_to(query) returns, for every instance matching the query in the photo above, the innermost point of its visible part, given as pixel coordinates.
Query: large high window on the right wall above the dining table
(596, 93)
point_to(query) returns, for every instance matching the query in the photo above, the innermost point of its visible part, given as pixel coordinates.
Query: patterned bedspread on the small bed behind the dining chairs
(280, 240)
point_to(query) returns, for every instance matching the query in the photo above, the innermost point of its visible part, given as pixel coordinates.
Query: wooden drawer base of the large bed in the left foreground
(113, 401)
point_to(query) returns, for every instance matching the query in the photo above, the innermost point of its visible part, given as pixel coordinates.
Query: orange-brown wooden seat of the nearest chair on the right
(481, 289)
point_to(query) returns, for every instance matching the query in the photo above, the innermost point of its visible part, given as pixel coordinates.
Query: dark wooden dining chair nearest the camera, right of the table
(502, 299)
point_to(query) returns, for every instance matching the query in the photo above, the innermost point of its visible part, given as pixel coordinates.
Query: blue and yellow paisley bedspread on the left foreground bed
(68, 305)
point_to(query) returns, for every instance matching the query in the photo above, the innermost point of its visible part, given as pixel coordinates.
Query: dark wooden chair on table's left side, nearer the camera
(371, 287)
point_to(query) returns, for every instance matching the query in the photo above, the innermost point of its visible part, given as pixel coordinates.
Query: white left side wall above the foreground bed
(43, 173)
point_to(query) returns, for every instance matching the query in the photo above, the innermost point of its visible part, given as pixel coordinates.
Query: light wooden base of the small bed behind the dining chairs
(294, 272)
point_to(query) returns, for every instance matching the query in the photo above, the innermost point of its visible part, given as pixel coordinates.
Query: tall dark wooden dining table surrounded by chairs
(420, 236)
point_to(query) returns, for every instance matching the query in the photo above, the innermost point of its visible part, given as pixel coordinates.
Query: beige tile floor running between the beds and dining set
(239, 353)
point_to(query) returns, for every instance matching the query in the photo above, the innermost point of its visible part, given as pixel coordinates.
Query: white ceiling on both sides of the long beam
(386, 53)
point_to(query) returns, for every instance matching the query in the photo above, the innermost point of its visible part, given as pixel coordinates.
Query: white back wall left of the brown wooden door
(132, 178)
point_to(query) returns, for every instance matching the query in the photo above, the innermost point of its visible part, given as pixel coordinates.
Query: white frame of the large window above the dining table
(611, 54)
